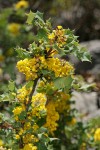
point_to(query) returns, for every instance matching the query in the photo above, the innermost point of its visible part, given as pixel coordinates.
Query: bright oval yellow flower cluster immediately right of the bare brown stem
(38, 104)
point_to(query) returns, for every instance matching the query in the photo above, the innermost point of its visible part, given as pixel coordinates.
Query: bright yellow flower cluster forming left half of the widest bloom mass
(28, 67)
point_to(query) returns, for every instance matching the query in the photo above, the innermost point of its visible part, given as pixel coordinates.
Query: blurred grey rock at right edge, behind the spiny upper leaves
(94, 67)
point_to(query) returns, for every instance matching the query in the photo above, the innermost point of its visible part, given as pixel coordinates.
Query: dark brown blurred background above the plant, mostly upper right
(83, 16)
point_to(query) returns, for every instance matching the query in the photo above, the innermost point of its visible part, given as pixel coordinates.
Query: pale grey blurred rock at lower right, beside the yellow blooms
(85, 103)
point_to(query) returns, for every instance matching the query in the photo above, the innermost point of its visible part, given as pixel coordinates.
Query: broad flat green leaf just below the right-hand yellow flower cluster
(63, 82)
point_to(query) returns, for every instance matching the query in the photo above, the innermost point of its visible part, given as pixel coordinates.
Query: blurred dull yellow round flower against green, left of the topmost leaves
(14, 28)
